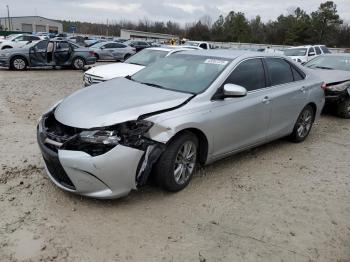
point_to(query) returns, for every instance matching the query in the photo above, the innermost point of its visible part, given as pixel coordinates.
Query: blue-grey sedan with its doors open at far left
(47, 53)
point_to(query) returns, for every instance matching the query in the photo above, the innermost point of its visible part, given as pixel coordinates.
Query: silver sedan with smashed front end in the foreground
(193, 107)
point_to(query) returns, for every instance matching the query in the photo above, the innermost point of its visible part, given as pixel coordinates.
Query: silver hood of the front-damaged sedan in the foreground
(113, 102)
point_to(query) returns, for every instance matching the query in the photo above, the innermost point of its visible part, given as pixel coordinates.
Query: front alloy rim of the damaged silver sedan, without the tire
(185, 162)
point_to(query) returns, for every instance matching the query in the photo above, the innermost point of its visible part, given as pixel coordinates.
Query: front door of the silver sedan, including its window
(242, 122)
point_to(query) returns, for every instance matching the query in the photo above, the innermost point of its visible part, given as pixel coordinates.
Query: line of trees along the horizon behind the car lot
(322, 26)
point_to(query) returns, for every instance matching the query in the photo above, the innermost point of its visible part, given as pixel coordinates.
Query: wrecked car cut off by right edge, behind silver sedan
(334, 69)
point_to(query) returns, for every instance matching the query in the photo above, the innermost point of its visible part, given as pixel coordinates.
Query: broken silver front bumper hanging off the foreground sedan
(106, 176)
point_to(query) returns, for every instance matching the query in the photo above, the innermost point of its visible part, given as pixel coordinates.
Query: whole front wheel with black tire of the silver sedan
(173, 172)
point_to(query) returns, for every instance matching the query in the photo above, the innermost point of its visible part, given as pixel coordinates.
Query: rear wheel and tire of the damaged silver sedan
(303, 125)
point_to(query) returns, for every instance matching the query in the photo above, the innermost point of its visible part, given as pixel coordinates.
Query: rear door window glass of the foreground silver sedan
(279, 70)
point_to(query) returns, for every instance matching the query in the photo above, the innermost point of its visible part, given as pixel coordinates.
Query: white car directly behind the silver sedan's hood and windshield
(132, 65)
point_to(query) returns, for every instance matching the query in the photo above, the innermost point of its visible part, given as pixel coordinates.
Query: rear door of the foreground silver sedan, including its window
(288, 94)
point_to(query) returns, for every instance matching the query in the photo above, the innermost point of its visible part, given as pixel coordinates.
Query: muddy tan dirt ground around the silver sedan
(279, 202)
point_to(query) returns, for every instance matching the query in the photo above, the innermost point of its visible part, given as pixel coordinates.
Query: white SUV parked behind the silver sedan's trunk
(303, 54)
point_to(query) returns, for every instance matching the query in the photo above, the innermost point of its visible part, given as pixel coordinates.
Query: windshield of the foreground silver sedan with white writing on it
(183, 73)
